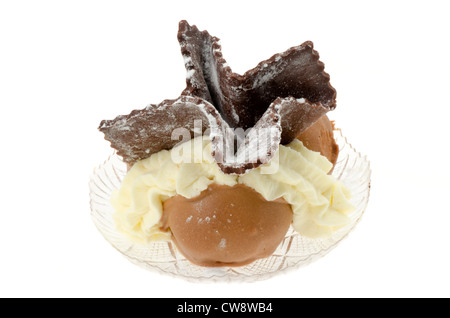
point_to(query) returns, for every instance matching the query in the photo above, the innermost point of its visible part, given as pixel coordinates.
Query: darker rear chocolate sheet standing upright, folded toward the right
(297, 74)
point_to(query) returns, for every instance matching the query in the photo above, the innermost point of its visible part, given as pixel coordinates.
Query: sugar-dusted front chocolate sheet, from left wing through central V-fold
(147, 131)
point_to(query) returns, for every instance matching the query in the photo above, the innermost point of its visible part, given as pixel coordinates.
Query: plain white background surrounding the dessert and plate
(66, 65)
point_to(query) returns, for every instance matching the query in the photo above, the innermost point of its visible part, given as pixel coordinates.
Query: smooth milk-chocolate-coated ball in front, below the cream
(226, 226)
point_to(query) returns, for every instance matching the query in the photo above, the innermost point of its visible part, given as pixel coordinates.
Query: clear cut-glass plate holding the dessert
(294, 251)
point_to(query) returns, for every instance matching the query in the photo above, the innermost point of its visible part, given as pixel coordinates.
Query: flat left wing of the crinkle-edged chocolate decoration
(144, 132)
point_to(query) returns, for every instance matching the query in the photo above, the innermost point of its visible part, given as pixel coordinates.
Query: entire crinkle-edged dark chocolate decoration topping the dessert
(269, 105)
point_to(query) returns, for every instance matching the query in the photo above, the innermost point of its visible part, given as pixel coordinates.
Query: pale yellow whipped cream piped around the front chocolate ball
(320, 203)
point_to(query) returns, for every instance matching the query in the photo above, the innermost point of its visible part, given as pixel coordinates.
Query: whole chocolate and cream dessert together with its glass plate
(240, 177)
